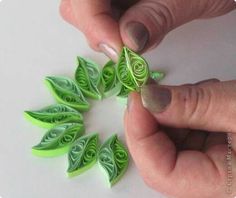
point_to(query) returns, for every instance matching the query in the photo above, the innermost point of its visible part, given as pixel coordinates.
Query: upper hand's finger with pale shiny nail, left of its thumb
(96, 21)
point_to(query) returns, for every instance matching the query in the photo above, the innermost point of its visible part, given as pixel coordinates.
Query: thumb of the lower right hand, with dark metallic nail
(207, 106)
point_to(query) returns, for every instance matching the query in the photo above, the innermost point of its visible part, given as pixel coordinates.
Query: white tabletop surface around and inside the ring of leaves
(35, 42)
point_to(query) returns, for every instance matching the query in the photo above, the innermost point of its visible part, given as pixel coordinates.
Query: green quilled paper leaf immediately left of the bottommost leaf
(83, 154)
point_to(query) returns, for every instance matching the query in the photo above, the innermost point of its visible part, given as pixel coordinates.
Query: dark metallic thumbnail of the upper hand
(138, 34)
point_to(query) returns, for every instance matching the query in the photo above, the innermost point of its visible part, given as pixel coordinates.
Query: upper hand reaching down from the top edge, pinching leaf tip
(138, 24)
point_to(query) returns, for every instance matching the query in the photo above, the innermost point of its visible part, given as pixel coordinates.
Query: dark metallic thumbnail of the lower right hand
(155, 98)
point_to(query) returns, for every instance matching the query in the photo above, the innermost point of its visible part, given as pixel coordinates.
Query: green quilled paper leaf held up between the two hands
(132, 70)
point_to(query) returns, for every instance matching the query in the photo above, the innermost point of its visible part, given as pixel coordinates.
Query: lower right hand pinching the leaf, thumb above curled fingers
(177, 137)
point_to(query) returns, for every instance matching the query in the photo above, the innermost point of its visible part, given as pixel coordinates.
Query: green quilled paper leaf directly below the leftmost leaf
(58, 140)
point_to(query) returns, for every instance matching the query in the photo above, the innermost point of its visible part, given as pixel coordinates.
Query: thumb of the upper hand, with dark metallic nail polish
(145, 24)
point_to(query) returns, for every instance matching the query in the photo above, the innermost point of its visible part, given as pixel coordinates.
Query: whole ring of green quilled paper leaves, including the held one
(65, 122)
